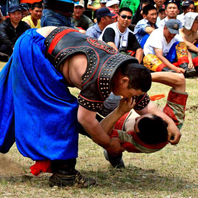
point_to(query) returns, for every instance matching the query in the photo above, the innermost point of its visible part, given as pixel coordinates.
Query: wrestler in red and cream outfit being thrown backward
(146, 133)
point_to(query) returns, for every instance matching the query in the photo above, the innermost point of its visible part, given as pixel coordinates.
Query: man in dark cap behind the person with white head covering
(187, 6)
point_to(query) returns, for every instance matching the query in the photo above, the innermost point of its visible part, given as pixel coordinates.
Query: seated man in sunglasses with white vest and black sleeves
(118, 35)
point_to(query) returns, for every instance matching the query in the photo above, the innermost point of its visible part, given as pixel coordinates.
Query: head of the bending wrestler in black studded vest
(131, 79)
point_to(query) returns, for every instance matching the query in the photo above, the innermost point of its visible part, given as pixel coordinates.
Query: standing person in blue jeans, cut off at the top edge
(57, 13)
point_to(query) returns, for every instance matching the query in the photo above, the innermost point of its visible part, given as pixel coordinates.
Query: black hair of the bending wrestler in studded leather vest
(139, 76)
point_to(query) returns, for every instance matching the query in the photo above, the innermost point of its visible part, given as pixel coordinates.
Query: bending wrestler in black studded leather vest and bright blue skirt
(38, 111)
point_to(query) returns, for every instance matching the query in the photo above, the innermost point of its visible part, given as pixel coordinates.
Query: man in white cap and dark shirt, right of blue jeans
(79, 19)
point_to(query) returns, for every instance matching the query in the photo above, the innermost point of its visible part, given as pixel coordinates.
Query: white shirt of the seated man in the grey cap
(157, 40)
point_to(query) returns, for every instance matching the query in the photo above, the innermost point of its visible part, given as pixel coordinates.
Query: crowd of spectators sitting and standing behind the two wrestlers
(135, 27)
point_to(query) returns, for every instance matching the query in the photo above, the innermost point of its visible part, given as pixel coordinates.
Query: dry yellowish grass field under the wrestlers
(171, 172)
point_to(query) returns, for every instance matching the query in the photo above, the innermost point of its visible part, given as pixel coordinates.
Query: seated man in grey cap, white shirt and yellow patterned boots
(164, 47)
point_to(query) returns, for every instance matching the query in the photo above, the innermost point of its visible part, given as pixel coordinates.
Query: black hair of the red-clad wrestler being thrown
(153, 130)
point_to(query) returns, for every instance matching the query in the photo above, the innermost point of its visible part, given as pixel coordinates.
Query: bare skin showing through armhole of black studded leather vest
(73, 69)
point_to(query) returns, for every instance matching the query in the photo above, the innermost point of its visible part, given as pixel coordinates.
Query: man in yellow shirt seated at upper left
(34, 19)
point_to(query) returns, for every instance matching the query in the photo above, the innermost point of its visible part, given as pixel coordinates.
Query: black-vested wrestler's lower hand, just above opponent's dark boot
(114, 148)
